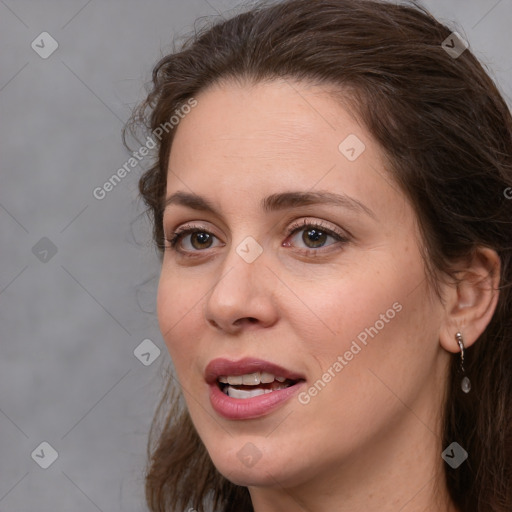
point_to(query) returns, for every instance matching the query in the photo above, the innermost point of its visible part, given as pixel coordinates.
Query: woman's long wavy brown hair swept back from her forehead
(447, 133)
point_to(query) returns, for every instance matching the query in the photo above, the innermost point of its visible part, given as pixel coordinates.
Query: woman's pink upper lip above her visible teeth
(223, 367)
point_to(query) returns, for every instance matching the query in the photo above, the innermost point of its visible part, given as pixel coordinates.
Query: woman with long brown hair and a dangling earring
(334, 219)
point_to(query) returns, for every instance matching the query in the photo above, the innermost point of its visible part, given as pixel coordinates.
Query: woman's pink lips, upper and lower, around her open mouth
(248, 408)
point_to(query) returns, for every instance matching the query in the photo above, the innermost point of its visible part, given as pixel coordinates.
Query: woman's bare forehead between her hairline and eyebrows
(252, 140)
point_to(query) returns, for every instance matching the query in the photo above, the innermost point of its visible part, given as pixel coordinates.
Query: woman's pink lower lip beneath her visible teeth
(249, 408)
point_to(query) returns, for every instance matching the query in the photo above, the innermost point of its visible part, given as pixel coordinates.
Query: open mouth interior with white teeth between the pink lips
(252, 384)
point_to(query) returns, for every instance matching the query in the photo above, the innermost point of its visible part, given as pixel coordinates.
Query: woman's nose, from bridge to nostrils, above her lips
(242, 296)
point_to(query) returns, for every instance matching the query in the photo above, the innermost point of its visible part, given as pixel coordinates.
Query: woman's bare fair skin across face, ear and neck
(370, 440)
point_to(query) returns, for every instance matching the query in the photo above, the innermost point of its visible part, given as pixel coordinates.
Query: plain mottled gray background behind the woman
(70, 324)
